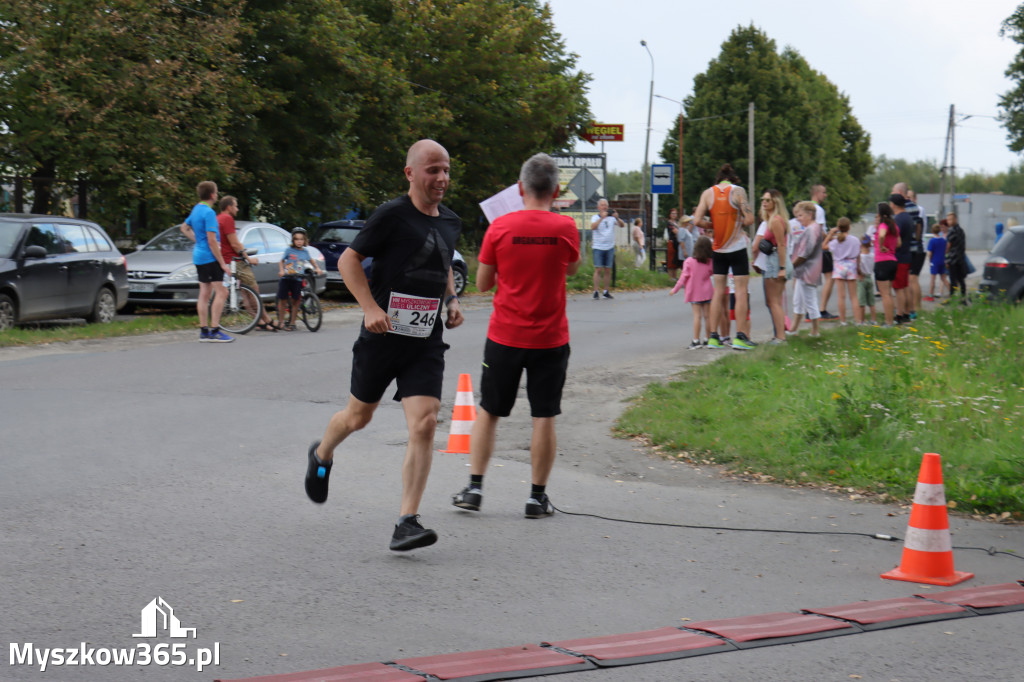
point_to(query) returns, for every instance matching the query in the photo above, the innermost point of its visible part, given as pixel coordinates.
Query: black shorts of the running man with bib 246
(417, 366)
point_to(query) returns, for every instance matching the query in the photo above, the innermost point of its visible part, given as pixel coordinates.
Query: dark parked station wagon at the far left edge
(53, 268)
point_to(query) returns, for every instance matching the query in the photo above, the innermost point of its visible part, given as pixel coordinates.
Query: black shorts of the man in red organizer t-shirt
(503, 368)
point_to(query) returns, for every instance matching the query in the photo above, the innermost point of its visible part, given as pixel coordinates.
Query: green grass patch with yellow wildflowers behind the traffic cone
(860, 406)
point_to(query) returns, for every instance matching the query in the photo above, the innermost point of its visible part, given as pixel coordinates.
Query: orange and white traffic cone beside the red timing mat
(928, 552)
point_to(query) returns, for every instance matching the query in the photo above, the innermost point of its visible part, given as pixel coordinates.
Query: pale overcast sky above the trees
(903, 64)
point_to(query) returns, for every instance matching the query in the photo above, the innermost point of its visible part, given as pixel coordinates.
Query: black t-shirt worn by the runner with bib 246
(412, 251)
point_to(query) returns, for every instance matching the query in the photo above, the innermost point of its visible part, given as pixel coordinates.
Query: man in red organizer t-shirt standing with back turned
(528, 254)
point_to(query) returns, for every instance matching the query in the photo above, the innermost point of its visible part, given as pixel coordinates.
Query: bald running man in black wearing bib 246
(412, 240)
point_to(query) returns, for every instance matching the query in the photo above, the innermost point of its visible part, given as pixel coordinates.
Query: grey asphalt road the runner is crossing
(161, 467)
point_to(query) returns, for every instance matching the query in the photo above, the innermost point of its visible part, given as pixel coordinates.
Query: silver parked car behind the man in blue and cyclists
(161, 273)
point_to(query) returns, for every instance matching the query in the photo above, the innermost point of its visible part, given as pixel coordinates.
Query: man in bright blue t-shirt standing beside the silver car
(201, 227)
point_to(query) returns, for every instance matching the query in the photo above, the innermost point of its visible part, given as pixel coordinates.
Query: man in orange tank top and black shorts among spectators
(731, 211)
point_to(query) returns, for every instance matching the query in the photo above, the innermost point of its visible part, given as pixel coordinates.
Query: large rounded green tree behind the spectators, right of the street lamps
(805, 132)
